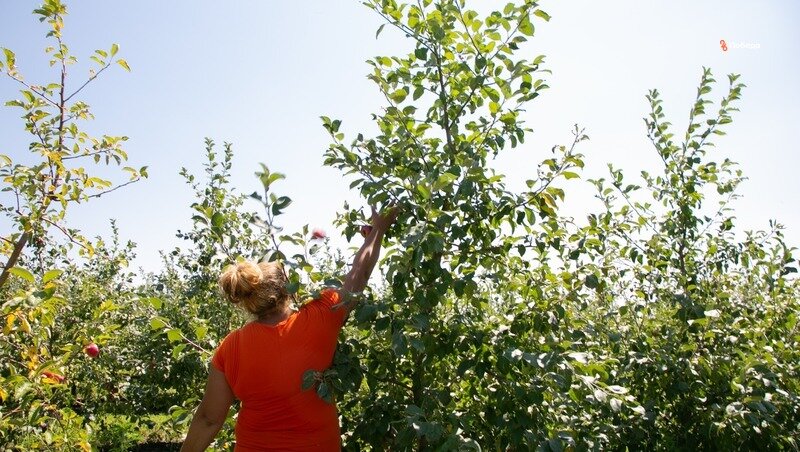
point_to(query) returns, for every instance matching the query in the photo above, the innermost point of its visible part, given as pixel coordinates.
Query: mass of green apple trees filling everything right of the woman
(506, 325)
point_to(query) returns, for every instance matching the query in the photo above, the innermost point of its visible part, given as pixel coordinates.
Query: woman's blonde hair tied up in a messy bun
(259, 288)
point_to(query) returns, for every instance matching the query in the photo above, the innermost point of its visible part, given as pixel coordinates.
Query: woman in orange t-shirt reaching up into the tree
(263, 362)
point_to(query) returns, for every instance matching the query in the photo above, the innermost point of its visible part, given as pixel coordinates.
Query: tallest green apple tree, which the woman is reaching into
(452, 104)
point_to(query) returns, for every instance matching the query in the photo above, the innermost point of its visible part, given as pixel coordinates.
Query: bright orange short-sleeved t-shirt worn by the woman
(264, 365)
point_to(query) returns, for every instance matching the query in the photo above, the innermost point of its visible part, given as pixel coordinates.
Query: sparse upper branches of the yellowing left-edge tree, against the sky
(37, 196)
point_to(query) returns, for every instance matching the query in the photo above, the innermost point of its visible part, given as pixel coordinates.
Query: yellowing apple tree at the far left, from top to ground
(61, 169)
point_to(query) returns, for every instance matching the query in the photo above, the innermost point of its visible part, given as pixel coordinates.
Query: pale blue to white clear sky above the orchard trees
(259, 74)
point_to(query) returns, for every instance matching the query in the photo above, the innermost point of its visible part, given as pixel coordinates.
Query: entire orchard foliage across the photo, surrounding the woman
(499, 324)
